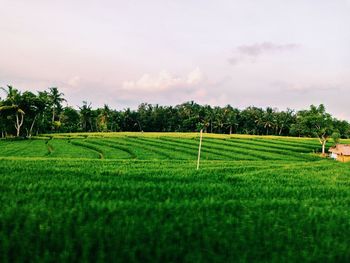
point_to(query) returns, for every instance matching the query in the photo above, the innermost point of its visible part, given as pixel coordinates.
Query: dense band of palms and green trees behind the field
(26, 113)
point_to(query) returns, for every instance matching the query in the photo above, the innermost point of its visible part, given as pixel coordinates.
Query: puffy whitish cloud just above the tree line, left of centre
(164, 81)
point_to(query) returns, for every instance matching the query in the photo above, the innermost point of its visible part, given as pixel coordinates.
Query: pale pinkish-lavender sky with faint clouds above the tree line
(284, 54)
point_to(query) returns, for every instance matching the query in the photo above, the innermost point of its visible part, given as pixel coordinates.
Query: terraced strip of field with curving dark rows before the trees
(165, 147)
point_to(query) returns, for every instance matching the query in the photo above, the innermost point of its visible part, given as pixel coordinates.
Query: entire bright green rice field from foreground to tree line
(132, 197)
